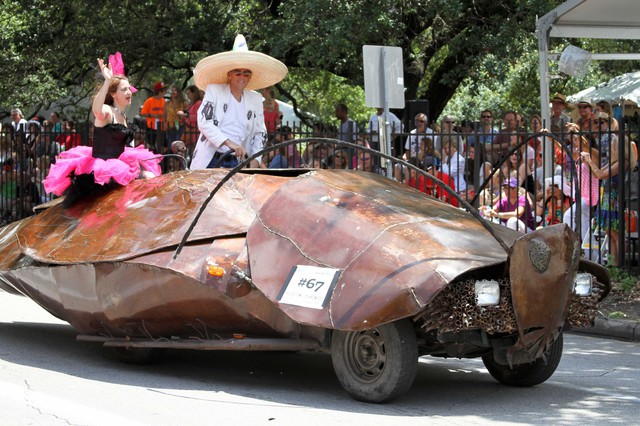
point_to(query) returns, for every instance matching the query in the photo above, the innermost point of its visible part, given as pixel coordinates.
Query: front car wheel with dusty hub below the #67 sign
(376, 365)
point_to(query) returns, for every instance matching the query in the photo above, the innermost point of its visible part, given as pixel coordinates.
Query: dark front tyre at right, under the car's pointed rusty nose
(527, 374)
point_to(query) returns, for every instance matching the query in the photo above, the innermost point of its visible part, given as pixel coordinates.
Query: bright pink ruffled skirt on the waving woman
(79, 160)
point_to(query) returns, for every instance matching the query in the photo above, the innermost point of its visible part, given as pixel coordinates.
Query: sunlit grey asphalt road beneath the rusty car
(48, 378)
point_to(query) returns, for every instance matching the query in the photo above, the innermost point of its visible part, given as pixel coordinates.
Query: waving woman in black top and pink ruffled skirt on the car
(85, 170)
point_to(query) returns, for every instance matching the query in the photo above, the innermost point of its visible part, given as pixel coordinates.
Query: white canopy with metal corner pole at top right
(612, 19)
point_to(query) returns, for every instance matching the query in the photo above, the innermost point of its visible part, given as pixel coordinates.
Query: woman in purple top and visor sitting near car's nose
(513, 208)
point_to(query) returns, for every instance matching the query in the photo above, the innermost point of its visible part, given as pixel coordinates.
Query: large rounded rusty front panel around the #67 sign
(395, 249)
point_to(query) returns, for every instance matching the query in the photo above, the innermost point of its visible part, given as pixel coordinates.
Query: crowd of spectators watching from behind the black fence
(498, 168)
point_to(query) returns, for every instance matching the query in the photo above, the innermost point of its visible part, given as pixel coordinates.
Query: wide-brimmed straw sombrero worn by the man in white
(266, 71)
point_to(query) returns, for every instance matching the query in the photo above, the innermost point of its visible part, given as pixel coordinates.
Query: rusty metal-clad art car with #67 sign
(368, 269)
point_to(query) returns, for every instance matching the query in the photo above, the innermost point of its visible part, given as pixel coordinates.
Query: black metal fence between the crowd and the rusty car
(550, 170)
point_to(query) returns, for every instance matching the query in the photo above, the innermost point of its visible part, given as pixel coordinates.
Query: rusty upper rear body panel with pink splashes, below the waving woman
(145, 216)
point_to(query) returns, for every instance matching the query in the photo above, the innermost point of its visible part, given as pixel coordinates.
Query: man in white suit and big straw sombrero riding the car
(231, 115)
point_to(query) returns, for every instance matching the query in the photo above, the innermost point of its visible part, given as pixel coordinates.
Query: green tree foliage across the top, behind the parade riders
(460, 54)
